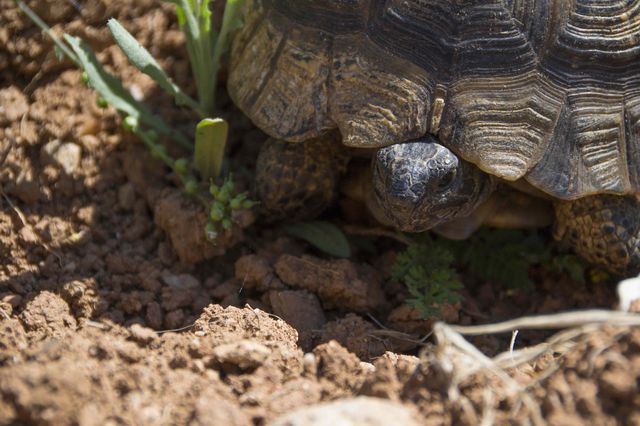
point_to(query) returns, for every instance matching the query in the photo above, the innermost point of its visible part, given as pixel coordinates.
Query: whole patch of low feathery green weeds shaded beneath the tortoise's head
(501, 256)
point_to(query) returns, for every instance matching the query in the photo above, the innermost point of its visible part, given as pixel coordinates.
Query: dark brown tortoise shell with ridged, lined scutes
(545, 90)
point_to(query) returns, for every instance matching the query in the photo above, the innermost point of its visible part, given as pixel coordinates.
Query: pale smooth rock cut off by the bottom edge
(360, 411)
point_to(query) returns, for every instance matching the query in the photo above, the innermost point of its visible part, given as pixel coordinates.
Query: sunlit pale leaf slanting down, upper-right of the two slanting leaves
(142, 59)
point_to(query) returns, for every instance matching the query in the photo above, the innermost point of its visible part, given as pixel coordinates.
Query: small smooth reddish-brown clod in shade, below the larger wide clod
(299, 308)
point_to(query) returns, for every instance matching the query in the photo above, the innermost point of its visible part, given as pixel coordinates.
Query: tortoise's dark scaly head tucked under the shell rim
(420, 184)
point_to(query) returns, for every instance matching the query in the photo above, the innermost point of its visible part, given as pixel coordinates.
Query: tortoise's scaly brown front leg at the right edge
(604, 229)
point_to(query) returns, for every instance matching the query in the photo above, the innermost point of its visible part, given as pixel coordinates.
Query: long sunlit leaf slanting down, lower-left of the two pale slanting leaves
(111, 89)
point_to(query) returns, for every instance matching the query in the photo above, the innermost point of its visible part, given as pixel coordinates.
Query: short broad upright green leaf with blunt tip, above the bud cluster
(211, 138)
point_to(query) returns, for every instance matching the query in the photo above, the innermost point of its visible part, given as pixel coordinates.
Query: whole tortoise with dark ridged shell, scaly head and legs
(453, 99)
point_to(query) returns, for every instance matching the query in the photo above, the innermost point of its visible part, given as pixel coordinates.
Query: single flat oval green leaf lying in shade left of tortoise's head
(324, 236)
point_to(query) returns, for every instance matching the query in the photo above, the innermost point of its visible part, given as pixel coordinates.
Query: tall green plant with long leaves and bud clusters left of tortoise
(205, 47)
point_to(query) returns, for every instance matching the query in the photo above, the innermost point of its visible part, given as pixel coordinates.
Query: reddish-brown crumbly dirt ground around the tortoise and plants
(114, 309)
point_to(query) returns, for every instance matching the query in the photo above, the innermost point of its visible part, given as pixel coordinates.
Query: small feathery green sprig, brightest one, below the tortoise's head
(426, 268)
